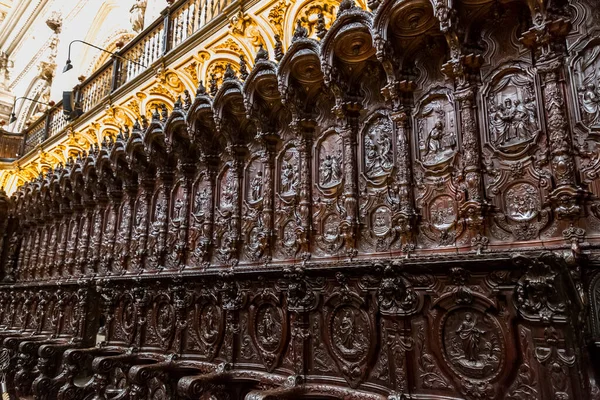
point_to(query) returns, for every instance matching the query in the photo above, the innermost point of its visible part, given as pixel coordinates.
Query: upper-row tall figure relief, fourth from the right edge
(378, 150)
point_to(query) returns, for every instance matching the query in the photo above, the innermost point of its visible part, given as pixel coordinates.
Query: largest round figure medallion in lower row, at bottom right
(473, 344)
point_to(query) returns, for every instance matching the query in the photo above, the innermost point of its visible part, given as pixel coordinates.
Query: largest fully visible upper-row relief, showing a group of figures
(512, 112)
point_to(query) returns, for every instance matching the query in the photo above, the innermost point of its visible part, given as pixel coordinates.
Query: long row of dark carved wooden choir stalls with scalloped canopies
(404, 208)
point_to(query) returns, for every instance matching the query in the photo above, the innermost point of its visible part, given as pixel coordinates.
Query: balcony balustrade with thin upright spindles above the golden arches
(177, 23)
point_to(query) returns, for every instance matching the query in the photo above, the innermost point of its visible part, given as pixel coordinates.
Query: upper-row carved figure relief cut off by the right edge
(587, 76)
